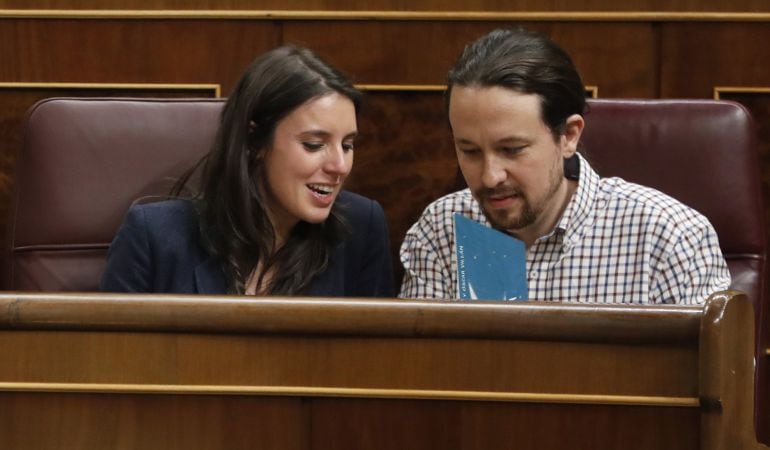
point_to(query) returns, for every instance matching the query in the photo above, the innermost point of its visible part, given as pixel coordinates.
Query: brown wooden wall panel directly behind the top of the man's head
(618, 58)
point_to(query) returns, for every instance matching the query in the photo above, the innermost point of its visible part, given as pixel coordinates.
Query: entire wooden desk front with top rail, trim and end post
(178, 372)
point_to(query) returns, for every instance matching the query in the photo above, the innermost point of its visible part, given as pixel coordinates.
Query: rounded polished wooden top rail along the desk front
(363, 317)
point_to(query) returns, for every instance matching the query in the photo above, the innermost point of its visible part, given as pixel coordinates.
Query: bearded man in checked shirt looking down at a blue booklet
(516, 104)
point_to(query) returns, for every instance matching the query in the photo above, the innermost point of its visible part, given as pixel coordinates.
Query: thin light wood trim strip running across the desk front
(307, 391)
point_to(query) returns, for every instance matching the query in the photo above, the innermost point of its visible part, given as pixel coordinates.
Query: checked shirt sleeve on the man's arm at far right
(693, 268)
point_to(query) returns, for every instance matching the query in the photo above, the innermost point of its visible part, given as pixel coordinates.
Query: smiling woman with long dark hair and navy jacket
(271, 217)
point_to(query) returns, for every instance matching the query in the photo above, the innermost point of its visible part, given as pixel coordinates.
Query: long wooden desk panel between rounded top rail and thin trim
(182, 361)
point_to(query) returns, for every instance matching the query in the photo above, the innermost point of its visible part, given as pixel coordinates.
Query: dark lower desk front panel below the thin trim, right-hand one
(358, 424)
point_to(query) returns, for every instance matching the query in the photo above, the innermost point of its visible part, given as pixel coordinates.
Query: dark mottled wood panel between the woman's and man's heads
(405, 157)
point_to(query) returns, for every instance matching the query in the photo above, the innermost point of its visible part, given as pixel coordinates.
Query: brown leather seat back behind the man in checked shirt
(701, 152)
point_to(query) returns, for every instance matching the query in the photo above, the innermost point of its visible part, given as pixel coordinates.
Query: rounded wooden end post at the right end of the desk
(727, 373)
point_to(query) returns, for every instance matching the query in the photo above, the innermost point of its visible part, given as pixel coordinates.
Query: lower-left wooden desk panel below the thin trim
(39, 421)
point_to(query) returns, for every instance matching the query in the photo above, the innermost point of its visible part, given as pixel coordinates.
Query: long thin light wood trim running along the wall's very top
(491, 16)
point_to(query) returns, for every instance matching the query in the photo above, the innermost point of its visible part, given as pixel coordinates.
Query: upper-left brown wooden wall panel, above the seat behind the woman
(125, 51)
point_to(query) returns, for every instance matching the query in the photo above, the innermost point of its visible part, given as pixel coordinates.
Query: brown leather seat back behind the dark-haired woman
(84, 161)
